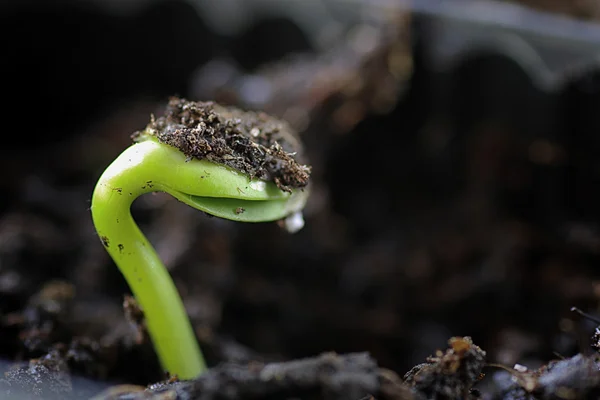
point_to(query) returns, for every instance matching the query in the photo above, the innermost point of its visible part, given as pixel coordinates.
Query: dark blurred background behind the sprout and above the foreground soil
(455, 161)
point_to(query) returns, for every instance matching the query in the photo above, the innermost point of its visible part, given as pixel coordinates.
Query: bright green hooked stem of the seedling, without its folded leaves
(150, 282)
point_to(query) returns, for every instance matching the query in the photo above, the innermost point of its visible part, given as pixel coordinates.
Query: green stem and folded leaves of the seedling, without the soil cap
(150, 166)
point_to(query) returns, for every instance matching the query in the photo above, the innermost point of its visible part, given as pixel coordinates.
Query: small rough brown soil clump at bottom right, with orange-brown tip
(449, 375)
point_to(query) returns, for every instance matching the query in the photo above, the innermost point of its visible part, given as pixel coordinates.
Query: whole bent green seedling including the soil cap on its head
(225, 162)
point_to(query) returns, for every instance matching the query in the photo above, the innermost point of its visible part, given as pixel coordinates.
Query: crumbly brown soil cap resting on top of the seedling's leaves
(251, 142)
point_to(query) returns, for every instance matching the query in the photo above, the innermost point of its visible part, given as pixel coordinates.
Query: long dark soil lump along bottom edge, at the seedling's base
(328, 376)
